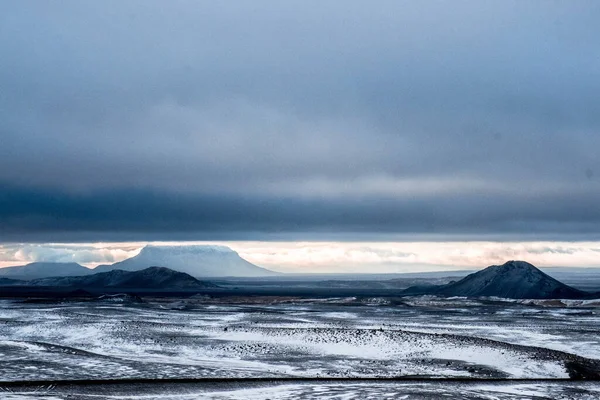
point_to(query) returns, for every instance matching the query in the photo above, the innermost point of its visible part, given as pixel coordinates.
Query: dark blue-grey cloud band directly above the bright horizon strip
(142, 215)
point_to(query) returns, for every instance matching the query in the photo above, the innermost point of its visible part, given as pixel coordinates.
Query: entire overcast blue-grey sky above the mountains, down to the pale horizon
(334, 123)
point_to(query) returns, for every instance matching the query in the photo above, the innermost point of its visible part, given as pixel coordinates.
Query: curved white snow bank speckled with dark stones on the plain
(411, 353)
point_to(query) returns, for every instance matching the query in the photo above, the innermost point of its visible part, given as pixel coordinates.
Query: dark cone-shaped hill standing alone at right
(514, 279)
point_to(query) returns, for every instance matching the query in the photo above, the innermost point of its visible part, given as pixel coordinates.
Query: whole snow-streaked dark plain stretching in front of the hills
(304, 338)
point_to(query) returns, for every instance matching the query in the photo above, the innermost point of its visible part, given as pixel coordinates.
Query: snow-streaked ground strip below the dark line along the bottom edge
(300, 390)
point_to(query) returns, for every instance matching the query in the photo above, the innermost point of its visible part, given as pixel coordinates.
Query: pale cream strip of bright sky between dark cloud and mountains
(332, 257)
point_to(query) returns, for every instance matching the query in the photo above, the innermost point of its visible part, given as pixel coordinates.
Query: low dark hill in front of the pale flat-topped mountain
(148, 278)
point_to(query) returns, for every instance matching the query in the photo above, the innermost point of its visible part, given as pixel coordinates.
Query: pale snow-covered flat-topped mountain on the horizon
(196, 260)
